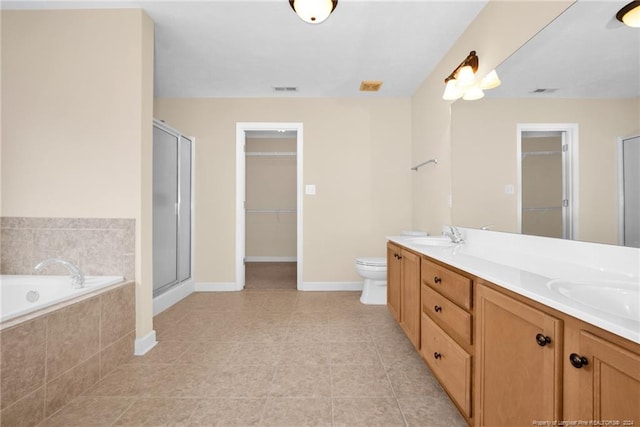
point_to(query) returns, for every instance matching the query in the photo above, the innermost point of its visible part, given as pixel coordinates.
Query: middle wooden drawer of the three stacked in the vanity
(446, 314)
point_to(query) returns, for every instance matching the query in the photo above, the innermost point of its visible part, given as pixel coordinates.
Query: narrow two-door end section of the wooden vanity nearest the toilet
(403, 290)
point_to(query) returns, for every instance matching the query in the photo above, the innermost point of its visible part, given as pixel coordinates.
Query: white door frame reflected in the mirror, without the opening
(570, 176)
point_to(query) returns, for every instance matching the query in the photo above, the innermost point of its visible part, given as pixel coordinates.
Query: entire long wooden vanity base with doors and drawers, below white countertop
(505, 359)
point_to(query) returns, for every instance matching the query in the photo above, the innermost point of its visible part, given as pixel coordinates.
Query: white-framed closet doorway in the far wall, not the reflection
(268, 206)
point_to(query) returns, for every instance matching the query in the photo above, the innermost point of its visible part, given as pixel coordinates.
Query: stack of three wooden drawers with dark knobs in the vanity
(446, 330)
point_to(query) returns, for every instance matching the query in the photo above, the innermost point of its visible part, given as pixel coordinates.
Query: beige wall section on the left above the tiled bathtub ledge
(76, 125)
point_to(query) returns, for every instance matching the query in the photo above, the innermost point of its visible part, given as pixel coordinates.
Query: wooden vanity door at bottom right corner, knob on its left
(609, 381)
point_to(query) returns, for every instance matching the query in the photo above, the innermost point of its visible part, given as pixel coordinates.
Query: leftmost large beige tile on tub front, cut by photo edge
(23, 360)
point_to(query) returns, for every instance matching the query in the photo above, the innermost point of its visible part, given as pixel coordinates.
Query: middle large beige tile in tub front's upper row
(73, 336)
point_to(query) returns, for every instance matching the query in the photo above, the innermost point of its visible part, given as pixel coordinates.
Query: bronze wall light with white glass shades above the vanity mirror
(462, 83)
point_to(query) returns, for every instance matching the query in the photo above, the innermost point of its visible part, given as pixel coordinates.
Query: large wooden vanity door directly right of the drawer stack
(518, 380)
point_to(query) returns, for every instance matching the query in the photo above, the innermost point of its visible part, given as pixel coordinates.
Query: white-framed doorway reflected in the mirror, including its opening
(547, 180)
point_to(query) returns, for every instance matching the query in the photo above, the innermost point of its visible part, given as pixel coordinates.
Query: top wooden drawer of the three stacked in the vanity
(454, 286)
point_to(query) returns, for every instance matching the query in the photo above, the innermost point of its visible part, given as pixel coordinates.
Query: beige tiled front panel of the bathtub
(46, 361)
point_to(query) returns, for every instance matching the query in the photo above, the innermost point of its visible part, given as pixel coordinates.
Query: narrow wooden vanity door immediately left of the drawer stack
(410, 303)
